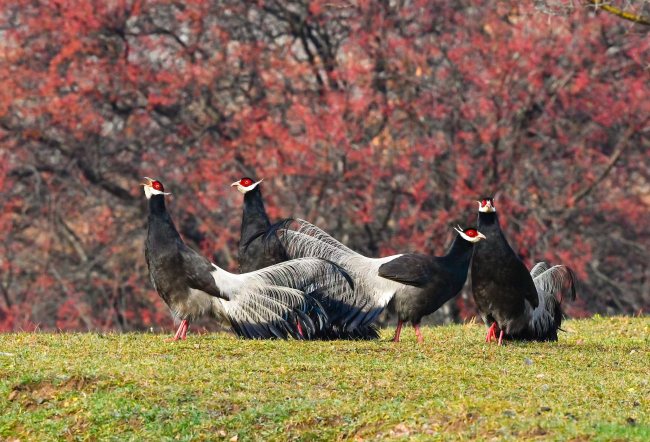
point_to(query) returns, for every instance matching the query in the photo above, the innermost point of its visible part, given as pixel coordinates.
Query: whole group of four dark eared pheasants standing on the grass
(297, 281)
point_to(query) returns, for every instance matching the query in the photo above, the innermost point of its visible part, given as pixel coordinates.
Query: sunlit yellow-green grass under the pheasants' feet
(593, 384)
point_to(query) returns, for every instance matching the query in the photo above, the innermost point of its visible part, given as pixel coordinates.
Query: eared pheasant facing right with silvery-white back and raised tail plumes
(416, 285)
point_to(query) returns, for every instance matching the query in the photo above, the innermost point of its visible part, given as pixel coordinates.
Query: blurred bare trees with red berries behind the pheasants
(380, 121)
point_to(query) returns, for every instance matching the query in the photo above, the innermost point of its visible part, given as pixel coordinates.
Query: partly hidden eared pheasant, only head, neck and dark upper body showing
(255, 250)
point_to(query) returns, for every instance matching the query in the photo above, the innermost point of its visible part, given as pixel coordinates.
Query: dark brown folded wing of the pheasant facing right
(411, 269)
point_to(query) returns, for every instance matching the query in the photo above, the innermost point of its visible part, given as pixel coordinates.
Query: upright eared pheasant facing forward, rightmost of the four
(513, 302)
